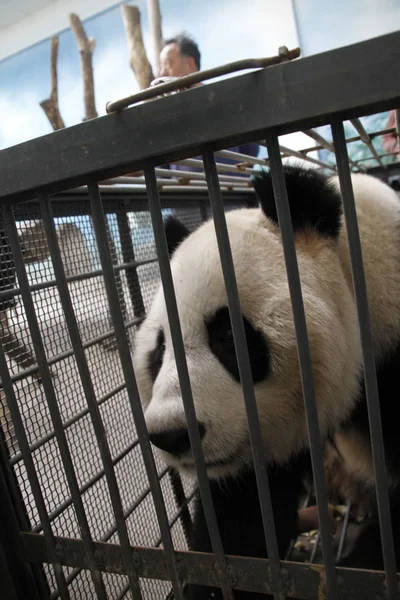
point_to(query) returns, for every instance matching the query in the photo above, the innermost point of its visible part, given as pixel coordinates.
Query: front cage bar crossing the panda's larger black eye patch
(246, 377)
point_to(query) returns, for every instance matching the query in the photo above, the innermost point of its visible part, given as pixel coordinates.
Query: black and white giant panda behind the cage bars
(324, 264)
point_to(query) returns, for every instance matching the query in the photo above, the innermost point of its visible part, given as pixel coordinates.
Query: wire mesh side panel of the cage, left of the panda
(131, 244)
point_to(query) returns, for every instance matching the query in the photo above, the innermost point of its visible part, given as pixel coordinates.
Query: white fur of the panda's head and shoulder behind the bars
(260, 271)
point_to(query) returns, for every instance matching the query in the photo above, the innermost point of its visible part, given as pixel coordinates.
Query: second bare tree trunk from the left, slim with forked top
(86, 47)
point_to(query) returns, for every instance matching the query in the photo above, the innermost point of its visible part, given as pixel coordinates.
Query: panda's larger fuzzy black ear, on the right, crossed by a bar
(313, 201)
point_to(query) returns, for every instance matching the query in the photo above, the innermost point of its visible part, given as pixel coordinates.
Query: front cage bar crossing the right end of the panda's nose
(184, 381)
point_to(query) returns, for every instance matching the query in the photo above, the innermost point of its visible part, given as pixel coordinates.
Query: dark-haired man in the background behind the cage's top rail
(180, 56)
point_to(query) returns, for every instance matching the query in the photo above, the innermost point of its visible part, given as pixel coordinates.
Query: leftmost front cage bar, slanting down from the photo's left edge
(30, 469)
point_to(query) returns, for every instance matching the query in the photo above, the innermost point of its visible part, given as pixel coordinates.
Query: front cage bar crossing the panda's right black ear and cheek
(303, 351)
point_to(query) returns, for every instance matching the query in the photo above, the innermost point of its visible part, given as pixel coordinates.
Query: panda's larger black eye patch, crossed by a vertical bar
(220, 339)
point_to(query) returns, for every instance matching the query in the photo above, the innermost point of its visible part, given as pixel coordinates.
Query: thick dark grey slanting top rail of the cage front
(148, 132)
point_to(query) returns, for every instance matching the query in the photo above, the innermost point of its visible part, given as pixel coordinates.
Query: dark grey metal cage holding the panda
(87, 510)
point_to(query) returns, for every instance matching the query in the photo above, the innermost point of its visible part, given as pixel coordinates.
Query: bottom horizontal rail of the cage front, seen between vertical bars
(248, 574)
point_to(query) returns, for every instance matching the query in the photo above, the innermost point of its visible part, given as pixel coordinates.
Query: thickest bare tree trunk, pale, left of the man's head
(137, 52)
